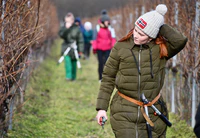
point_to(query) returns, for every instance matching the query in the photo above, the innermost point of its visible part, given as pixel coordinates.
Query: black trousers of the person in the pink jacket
(102, 58)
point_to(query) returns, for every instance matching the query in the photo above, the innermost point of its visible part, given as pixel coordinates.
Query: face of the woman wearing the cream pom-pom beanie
(140, 37)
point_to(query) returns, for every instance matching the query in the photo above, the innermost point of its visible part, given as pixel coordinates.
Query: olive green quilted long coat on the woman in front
(134, 70)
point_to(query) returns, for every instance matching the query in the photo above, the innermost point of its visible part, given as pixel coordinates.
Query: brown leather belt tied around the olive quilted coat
(142, 105)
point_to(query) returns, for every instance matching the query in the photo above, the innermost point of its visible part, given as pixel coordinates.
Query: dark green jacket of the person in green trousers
(70, 35)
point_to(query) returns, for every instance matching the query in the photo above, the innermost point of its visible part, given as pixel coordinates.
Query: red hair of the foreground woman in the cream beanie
(159, 41)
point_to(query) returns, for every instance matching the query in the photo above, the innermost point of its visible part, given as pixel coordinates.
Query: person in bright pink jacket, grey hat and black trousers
(102, 41)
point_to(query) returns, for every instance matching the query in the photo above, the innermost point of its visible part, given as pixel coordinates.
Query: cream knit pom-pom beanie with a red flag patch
(150, 22)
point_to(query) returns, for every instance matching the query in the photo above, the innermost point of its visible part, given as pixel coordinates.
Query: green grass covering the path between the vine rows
(55, 108)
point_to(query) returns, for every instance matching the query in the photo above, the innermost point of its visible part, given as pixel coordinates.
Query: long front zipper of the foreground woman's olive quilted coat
(139, 60)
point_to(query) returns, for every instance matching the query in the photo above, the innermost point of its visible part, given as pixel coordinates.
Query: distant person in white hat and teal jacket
(88, 36)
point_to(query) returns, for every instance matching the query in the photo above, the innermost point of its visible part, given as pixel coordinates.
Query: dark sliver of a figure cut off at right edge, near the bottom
(197, 125)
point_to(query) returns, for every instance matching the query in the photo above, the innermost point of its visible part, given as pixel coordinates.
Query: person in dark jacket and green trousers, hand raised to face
(71, 33)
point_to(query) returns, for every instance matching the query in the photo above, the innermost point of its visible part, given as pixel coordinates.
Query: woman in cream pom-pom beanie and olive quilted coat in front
(136, 66)
